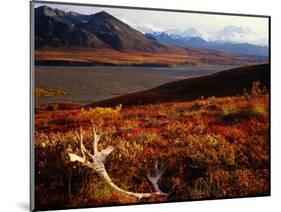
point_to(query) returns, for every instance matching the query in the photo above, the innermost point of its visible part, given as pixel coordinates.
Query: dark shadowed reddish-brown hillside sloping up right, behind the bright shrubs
(226, 83)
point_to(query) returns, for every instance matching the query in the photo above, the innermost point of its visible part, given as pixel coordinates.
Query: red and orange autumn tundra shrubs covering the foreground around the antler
(211, 148)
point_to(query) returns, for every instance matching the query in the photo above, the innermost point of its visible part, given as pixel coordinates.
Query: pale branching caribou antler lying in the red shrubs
(98, 160)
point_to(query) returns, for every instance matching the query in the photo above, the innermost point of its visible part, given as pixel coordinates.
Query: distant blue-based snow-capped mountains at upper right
(231, 40)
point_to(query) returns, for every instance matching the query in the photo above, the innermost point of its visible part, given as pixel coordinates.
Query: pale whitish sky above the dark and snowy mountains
(161, 21)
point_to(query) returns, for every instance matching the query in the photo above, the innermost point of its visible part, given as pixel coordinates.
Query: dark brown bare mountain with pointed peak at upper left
(56, 28)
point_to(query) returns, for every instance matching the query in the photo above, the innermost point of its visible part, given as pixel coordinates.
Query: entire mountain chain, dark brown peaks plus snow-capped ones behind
(85, 31)
